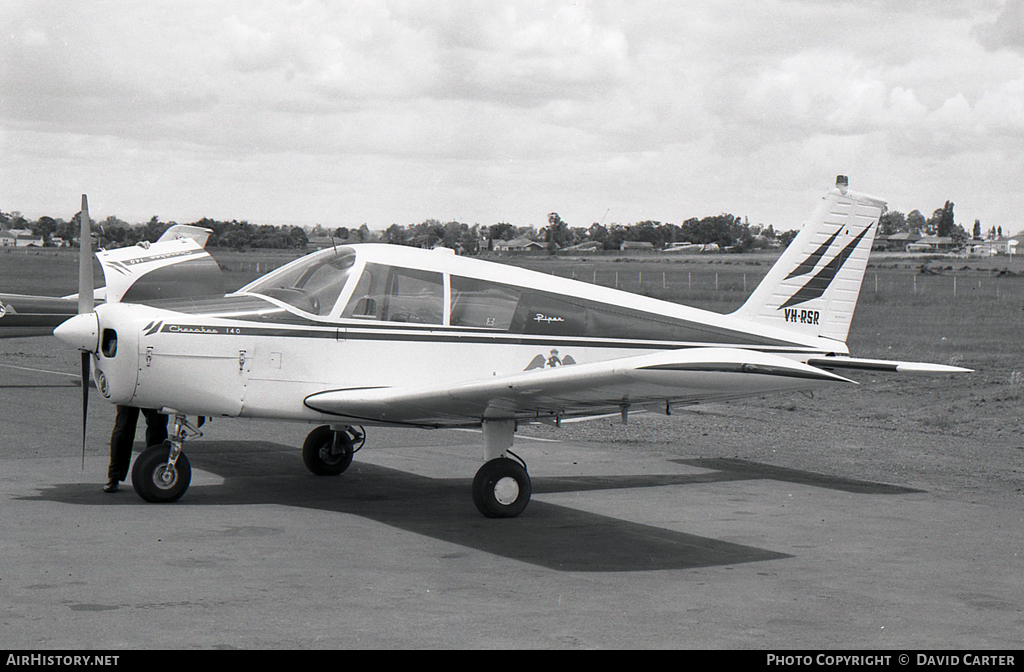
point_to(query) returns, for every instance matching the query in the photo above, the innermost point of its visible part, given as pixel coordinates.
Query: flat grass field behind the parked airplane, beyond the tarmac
(958, 432)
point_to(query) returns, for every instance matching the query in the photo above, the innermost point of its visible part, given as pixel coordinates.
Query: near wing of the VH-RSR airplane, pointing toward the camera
(664, 380)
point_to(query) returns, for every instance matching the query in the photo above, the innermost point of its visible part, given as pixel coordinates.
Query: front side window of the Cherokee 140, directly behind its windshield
(391, 295)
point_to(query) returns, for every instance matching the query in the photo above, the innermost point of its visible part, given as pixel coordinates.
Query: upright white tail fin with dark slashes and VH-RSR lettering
(814, 287)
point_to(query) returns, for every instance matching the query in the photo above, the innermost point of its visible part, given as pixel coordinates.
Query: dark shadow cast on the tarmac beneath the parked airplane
(548, 535)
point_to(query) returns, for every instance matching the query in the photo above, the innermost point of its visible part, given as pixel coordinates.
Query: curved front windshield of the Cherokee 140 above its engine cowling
(312, 284)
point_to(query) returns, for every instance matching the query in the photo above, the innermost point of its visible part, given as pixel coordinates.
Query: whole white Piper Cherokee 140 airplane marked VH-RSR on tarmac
(387, 335)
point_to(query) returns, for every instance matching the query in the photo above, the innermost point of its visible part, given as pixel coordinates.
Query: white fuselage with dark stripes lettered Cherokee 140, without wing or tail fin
(381, 317)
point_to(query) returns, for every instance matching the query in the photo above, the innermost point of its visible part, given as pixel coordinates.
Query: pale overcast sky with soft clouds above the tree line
(338, 113)
